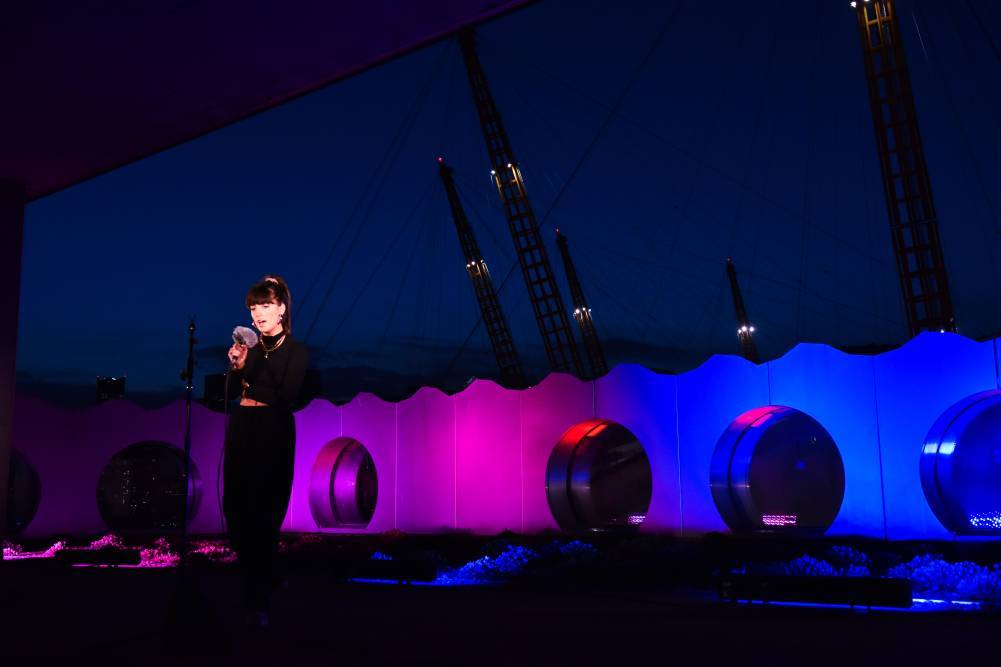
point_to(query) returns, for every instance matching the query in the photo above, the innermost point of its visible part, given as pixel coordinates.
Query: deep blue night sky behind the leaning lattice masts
(660, 138)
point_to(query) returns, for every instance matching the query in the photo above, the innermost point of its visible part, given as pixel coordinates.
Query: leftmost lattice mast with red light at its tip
(509, 363)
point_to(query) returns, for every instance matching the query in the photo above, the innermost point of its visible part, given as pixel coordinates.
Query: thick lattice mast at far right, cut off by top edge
(906, 185)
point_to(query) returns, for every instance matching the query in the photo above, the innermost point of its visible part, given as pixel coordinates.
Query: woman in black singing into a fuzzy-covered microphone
(261, 441)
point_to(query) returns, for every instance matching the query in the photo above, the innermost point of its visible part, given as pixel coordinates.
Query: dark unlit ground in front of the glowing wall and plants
(128, 617)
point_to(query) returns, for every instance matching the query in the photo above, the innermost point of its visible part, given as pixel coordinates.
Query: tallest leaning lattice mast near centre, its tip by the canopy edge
(547, 304)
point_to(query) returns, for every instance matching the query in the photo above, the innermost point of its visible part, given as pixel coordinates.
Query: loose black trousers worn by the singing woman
(258, 483)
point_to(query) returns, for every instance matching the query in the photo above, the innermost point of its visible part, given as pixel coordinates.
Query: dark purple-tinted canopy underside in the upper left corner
(91, 87)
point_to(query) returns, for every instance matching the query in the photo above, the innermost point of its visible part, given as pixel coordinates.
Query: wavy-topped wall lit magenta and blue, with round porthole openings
(476, 461)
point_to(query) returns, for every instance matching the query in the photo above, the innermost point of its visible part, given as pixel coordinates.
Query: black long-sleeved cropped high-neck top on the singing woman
(278, 379)
